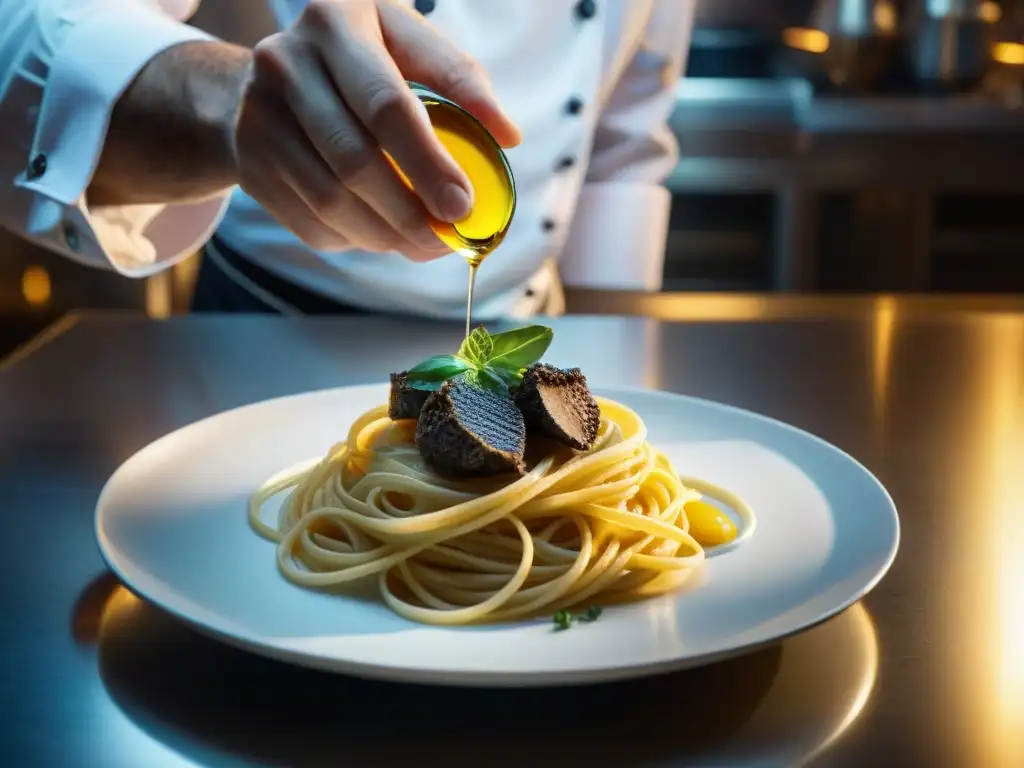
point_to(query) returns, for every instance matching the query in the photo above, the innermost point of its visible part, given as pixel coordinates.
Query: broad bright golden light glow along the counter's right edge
(985, 570)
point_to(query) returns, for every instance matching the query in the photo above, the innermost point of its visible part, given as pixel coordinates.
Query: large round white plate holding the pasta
(172, 524)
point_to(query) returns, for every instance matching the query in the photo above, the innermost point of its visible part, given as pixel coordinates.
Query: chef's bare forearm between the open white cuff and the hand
(172, 133)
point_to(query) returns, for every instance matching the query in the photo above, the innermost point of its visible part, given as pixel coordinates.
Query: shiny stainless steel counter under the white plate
(925, 672)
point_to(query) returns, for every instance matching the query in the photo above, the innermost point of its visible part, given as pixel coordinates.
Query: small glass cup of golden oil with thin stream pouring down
(477, 152)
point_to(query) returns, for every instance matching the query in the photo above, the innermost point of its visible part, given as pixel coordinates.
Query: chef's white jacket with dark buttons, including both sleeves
(592, 97)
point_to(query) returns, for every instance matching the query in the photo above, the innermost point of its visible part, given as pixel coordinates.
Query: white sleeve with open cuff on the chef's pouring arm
(63, 66)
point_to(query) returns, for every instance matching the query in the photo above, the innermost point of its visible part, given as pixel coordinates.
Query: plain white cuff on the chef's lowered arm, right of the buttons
(618, 238)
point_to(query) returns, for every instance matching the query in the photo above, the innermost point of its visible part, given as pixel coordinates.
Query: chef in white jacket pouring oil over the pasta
(131, 140)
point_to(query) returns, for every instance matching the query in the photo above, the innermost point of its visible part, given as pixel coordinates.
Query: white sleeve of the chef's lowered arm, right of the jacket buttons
(621, 223)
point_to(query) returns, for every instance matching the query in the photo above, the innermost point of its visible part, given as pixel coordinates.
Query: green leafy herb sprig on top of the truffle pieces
(496, 363)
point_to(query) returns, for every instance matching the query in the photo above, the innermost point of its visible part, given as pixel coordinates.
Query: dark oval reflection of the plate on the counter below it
(780, 706)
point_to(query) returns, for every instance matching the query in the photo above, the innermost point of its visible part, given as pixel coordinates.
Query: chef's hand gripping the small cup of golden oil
(326, 96)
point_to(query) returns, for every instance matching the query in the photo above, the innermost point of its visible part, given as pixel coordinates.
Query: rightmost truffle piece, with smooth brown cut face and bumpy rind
(559, 405)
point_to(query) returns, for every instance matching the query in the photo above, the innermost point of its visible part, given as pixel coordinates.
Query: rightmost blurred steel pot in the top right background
(952, 46)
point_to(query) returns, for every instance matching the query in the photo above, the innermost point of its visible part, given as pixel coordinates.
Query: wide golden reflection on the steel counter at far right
(992, 587)
